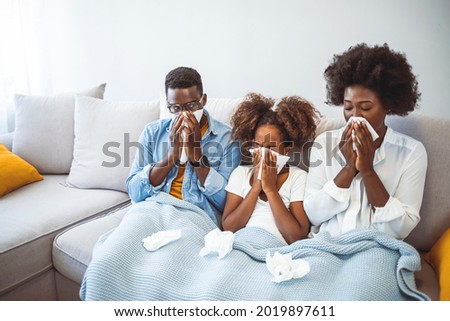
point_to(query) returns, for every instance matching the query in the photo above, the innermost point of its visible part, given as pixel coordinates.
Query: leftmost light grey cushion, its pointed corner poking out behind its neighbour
(43, 133)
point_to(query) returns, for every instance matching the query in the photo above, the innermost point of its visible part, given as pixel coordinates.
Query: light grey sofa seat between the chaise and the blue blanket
(72, 249)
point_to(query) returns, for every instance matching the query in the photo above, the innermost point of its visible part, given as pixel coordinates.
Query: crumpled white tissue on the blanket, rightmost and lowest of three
(284, 268)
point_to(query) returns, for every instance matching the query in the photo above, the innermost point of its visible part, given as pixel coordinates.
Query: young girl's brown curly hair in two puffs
(294, 116)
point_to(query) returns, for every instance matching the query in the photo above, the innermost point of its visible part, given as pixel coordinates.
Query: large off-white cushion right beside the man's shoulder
(106, 136)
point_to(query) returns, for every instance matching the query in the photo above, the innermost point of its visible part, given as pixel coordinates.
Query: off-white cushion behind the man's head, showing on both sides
(220, 108)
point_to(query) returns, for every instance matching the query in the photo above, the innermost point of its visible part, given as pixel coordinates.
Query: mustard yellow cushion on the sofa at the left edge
(15, 172)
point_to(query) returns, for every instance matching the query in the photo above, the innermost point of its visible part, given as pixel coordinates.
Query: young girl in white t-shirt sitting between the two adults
(274, 201)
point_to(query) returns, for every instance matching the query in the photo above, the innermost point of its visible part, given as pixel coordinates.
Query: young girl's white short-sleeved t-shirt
(292, 190)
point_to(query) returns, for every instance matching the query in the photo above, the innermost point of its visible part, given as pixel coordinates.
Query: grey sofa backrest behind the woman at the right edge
(435, 211)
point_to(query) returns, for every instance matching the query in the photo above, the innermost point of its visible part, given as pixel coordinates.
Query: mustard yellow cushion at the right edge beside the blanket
(439, 258)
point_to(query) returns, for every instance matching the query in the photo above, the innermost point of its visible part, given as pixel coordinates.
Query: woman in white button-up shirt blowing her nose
(360, 180)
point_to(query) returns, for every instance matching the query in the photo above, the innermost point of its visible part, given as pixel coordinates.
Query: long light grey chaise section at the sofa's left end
(31, 217)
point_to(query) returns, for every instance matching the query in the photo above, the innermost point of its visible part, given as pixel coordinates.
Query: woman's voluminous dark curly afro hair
(378, 68)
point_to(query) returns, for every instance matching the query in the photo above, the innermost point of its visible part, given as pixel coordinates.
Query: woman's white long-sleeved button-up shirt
(401, 164)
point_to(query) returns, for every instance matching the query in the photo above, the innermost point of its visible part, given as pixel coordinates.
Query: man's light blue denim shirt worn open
(223, 156)
